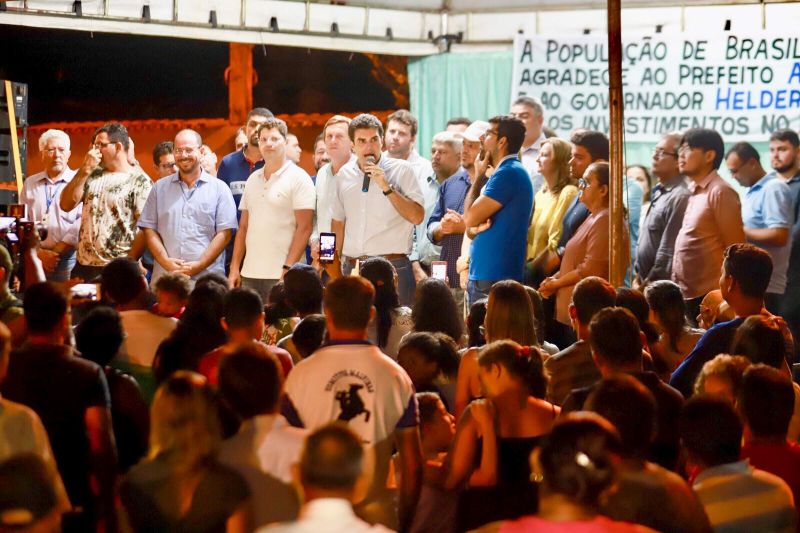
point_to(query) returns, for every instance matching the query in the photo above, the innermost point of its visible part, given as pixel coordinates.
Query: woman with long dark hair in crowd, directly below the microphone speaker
(392, 320)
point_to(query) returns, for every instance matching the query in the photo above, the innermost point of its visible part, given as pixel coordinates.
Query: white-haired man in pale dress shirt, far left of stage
(41, 193)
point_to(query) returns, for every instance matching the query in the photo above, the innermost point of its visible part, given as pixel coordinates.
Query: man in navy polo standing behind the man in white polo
(236, 167)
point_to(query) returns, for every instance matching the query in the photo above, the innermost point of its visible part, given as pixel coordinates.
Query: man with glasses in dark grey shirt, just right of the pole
(664, 217)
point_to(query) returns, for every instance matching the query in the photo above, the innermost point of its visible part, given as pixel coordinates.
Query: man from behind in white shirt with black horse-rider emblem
(351, 381)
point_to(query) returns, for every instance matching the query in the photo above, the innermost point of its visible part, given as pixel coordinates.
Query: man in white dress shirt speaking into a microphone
(379, 219)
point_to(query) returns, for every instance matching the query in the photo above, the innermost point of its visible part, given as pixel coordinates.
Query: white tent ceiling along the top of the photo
(364, 25)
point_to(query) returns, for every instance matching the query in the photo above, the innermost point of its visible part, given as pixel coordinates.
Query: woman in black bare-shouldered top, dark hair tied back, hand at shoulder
(496, 435)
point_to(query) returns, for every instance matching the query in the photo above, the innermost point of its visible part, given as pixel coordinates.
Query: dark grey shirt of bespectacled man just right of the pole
(661, 226)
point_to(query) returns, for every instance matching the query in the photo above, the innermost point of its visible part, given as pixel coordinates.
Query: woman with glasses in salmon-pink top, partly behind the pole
(586, 253)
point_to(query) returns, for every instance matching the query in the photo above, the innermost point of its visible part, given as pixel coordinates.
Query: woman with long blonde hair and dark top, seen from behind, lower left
(181, 486)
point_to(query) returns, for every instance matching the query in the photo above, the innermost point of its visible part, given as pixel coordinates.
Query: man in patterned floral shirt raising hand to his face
(113, 193)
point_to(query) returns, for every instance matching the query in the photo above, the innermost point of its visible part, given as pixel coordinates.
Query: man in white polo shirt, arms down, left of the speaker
(277, 215)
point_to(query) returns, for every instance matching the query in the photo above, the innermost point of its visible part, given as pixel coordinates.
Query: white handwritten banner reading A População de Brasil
(744, 86)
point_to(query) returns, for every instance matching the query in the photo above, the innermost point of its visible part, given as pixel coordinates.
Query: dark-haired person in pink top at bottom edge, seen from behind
(574, 466)
